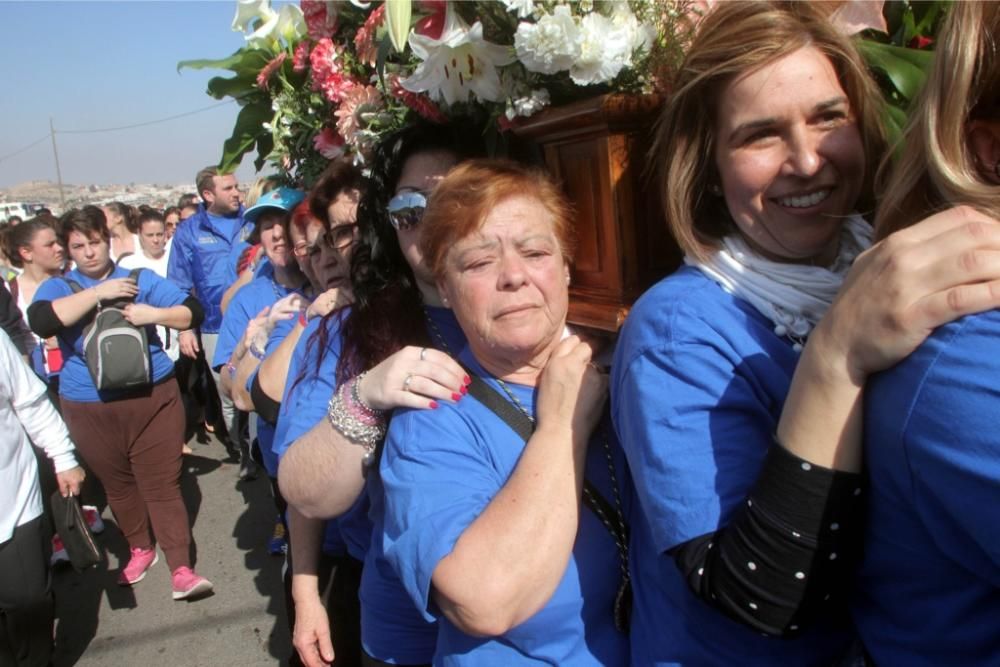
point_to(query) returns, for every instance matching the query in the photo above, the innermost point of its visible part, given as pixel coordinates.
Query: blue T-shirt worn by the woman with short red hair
(441, 469)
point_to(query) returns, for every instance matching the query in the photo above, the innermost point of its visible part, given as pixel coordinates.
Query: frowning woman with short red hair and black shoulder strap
(510, 531)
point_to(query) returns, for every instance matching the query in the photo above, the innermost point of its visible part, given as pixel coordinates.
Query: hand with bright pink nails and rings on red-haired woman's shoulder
(414, 377)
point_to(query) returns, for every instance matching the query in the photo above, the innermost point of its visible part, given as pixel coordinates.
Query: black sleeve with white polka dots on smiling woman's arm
(787, 553)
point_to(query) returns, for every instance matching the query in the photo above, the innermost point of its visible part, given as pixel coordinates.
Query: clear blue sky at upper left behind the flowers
(92, 65)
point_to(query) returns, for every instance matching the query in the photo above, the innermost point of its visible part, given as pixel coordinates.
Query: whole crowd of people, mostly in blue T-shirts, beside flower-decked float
(791, 459)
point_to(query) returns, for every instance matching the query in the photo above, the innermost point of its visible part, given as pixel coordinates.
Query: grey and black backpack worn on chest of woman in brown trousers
(117, 351)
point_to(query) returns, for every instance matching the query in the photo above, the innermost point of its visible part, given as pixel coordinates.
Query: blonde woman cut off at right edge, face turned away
(929, 586)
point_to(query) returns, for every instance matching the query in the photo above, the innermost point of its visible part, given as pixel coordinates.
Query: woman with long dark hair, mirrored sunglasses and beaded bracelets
(398, 331)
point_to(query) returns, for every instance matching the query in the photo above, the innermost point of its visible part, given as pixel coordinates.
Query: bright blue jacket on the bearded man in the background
(203, 261)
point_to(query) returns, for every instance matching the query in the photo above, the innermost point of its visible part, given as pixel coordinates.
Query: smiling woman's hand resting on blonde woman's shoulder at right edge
(910, 283)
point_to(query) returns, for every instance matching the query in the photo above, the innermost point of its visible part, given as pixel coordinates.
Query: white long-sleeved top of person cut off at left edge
(25, 411)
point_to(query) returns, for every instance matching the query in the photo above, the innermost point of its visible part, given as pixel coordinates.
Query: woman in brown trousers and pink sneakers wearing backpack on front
(131, 438)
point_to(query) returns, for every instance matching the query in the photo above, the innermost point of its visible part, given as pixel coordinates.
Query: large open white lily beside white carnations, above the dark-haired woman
(457, 64)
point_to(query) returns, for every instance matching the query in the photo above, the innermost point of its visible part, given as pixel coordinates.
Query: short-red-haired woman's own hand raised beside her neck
(571, 388)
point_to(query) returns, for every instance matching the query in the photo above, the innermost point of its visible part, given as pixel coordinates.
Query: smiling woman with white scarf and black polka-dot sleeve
(735, 393)
